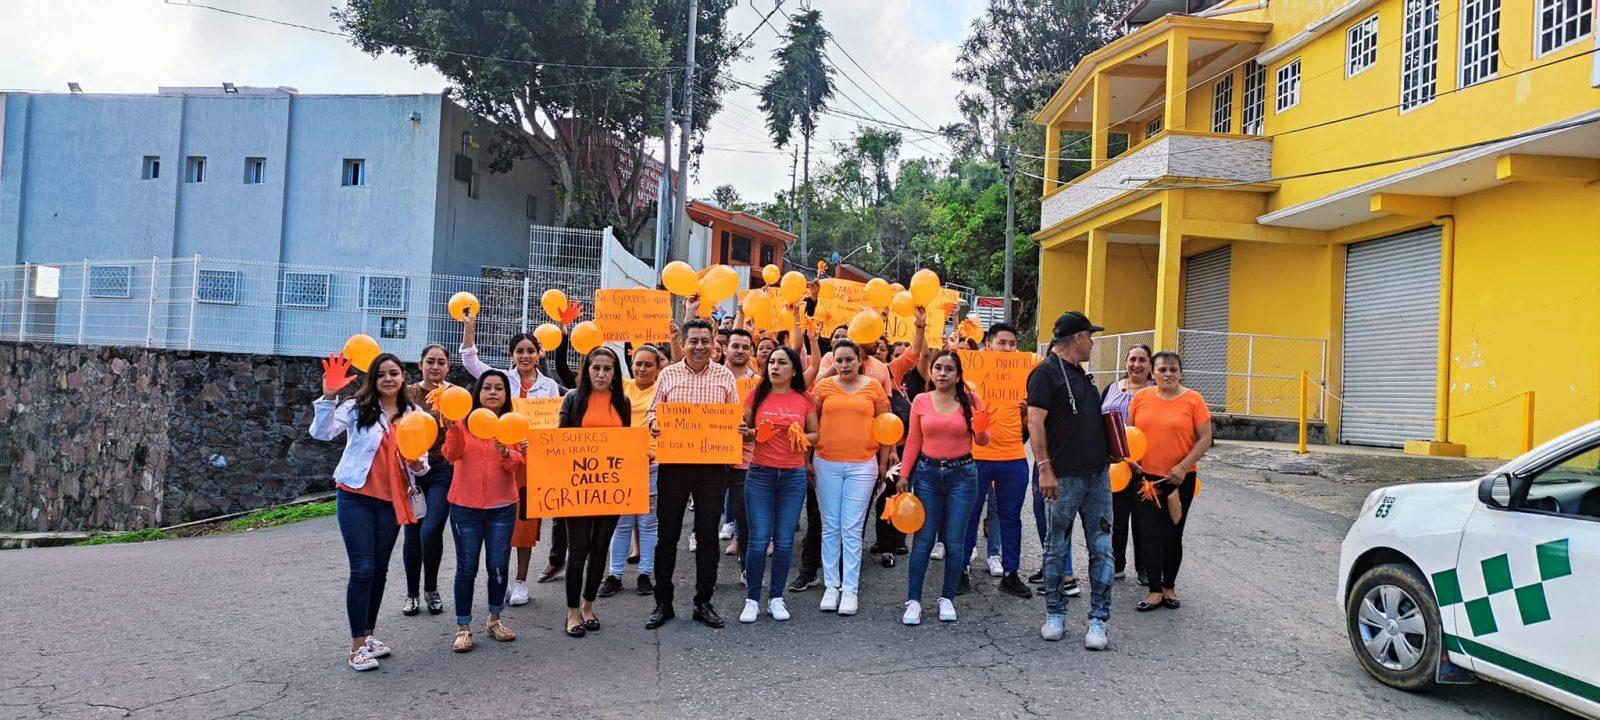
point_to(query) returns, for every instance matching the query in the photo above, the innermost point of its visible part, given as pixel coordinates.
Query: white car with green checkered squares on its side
(1494, 578)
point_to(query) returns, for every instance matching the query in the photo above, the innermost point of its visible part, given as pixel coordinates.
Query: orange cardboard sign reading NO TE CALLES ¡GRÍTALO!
(588, 471)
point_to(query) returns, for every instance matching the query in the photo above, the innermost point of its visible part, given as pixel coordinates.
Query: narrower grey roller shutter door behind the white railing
(1206, 310)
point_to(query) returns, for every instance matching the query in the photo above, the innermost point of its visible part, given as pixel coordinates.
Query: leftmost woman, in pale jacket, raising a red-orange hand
(372, 486)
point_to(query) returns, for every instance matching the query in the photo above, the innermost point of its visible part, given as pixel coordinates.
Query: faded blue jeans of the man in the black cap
(1087, 497)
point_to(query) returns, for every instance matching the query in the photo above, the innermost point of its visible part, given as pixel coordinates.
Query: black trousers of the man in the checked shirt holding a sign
(674, 487)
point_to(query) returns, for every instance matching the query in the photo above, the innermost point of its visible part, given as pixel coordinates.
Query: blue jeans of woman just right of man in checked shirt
(774, 498)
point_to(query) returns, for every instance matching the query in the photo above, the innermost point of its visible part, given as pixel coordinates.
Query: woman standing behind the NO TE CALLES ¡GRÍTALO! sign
(596, 402)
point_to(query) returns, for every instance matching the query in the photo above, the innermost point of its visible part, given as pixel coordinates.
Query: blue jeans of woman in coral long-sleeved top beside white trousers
(948, 497)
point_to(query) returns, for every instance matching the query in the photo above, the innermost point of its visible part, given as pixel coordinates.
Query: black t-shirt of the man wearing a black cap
(1074, 431)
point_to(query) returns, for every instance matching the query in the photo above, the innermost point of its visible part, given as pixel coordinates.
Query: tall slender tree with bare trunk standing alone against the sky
(798, 92)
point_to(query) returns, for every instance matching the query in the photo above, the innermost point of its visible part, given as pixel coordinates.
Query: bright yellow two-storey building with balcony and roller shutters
(1401, 198)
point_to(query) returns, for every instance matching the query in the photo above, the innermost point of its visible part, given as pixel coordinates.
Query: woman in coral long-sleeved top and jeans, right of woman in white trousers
(945, 425)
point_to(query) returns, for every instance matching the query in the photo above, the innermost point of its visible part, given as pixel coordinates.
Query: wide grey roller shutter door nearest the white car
(1391, 338)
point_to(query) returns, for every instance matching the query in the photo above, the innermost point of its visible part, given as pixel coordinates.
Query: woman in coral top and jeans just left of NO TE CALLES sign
(484, 510)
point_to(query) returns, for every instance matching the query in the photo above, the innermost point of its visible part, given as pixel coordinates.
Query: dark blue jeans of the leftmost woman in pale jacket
(370, 530)
